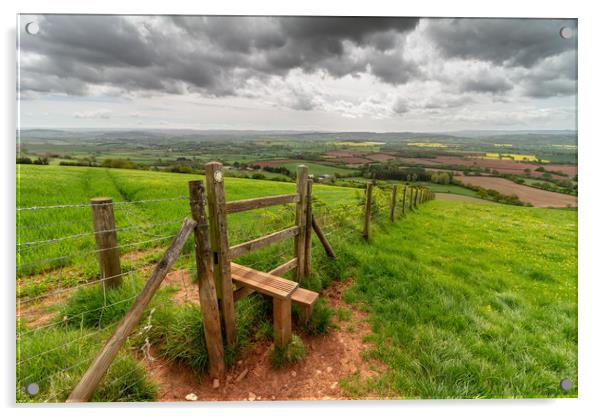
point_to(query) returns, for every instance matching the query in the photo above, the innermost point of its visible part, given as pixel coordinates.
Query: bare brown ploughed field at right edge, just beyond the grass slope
(538, 197)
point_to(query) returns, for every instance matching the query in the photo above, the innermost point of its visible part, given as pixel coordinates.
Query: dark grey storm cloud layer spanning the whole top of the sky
(217, 56)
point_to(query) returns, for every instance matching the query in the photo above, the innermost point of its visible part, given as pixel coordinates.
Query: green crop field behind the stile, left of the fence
(141, 225)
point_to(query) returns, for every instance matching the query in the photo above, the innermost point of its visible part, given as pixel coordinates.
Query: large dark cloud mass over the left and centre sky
(214, 55)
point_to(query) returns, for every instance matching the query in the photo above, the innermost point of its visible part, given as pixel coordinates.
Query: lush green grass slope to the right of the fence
(471, 300)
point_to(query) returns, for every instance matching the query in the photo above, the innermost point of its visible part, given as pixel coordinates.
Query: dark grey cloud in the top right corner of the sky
(511, 42)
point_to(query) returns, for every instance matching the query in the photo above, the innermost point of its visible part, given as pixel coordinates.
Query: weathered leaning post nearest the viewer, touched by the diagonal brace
(207, 294)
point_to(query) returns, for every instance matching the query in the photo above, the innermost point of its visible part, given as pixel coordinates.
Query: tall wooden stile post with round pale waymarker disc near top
(216, 198)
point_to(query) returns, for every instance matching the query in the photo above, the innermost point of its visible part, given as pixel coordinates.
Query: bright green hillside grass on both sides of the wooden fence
(465, 300)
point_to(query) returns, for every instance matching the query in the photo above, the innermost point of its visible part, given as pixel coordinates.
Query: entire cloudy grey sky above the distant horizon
(296, 73)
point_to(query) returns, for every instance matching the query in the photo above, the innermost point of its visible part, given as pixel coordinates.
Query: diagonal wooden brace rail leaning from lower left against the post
(87, 385)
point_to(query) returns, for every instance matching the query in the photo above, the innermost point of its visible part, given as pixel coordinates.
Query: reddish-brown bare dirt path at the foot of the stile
(328, 359)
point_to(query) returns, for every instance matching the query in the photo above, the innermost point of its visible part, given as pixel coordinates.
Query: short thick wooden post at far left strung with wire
(106, 241)
